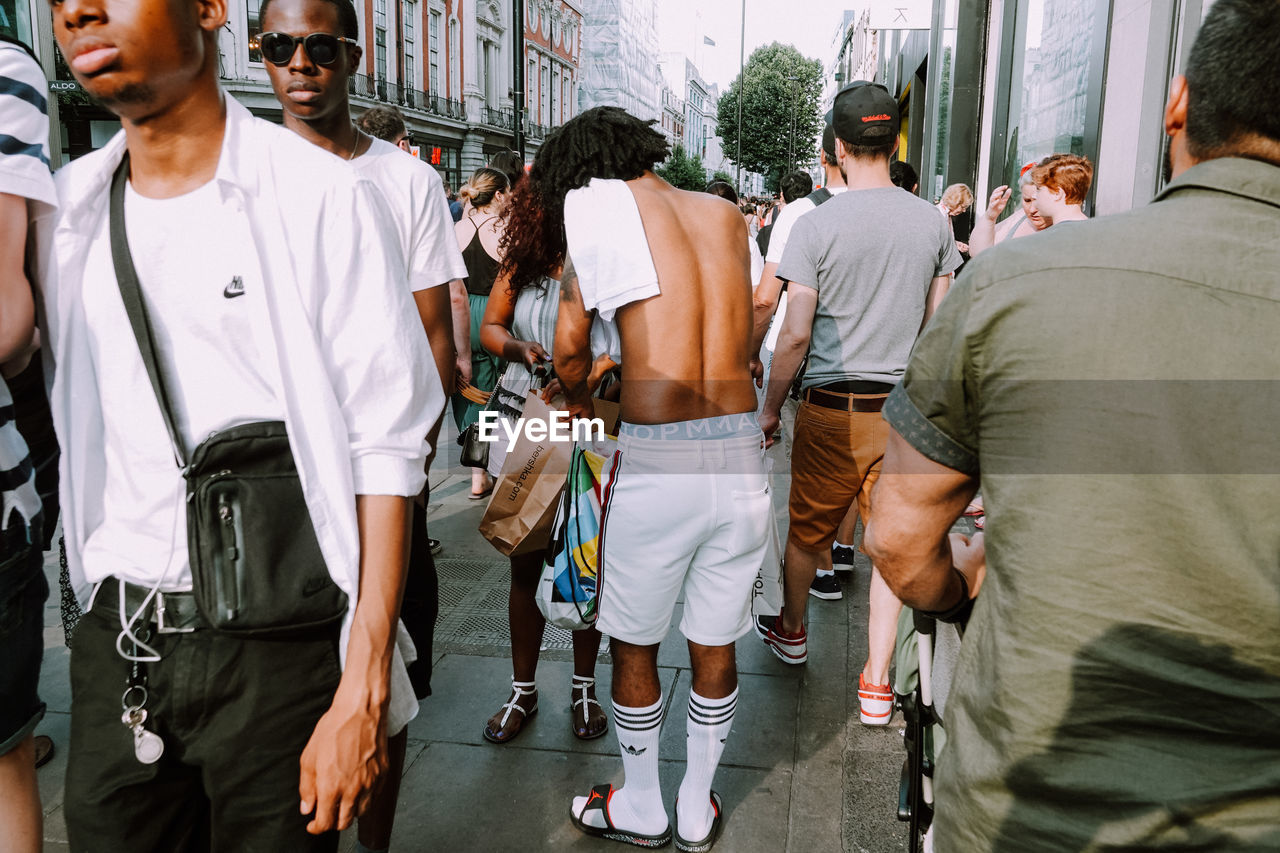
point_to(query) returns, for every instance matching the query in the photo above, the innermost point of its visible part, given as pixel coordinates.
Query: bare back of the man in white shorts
(685, 353)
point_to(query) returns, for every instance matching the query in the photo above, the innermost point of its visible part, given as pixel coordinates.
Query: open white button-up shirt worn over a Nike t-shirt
(335, 322)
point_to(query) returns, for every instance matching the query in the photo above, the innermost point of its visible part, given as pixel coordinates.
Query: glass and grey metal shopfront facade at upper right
(995, 85)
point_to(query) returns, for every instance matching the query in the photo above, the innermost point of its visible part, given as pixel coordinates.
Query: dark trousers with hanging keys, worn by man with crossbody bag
(235, 715)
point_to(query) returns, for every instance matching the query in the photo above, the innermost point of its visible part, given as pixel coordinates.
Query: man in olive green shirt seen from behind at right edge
(1117, 387)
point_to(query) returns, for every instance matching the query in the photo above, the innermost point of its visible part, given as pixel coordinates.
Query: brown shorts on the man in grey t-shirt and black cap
(835, 460)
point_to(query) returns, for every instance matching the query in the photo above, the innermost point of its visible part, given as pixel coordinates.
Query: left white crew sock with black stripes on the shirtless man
(638, 805)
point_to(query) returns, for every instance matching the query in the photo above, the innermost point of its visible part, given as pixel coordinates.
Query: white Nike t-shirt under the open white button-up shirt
(195, 259)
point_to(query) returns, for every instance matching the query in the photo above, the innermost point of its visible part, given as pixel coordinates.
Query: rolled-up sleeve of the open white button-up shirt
(377, 353)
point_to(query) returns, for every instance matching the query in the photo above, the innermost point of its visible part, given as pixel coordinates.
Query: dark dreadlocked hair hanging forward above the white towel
(602, 143)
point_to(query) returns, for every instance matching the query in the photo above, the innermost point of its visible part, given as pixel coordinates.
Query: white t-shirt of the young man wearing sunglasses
(415, 194)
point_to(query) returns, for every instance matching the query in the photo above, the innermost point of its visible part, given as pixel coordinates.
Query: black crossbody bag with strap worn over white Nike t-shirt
(257, 565)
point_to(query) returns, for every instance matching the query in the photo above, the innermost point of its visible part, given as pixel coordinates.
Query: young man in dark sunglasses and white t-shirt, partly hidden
(313, 94)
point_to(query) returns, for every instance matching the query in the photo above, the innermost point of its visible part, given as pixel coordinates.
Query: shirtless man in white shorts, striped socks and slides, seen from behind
(688, 498)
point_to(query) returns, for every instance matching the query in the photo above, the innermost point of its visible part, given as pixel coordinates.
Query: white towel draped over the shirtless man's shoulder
(609, 247)
